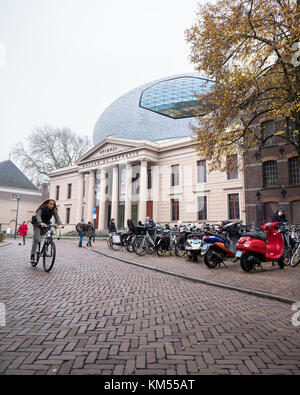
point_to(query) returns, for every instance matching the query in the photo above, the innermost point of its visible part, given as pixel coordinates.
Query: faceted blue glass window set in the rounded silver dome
(176, 98)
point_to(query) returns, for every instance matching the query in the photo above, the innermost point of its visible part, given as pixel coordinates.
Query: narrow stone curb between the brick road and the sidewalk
(248, 291)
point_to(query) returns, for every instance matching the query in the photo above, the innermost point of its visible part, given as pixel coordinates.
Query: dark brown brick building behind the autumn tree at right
(272, 176)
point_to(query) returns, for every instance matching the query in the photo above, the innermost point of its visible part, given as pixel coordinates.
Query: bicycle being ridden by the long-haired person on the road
(48, 251)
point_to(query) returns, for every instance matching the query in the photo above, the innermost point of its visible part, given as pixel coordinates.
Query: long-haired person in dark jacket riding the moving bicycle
(43, 216)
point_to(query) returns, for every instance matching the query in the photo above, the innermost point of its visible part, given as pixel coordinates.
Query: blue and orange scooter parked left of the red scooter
(217, 247)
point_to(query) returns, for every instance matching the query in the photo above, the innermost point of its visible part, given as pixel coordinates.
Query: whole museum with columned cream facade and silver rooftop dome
(144, 163)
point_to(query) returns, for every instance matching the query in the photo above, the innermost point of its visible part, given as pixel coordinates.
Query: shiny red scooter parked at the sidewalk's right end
(255, 248)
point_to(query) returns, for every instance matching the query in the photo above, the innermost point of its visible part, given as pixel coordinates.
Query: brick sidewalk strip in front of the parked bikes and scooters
(272, 282)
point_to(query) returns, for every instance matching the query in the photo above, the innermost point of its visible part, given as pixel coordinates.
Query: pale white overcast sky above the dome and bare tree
(62, 62)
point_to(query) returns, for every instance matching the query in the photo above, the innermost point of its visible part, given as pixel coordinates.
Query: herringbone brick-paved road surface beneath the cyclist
(96, 315)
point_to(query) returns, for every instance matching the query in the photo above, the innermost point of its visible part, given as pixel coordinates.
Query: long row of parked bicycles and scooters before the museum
(274, 242)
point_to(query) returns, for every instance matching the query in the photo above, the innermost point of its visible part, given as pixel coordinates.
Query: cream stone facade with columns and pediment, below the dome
(122, 179)
